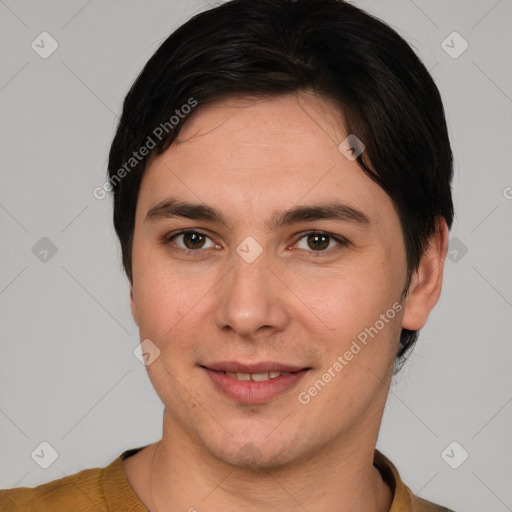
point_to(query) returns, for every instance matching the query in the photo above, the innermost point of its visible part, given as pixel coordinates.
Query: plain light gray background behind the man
(68, 375)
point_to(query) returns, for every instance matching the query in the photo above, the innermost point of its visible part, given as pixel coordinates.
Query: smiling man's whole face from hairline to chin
(277, 295)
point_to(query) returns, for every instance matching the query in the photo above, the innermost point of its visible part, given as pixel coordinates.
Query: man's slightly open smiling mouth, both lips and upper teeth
(256, 383)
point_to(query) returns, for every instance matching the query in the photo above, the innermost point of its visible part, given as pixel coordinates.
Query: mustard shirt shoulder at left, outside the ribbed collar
(80, 492)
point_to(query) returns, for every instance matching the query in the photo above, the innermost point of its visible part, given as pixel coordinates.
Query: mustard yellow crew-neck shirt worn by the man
(108, 490)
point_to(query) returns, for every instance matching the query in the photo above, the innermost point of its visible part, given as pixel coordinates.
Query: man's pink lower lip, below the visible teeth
(254, 392)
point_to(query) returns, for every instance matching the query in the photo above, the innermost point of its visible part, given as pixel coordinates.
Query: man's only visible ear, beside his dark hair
(426, 282)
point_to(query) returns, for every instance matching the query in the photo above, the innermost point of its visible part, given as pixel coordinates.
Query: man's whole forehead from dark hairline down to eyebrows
(243, 155)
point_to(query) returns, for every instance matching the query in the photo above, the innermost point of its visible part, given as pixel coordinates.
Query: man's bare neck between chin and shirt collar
(339, 477)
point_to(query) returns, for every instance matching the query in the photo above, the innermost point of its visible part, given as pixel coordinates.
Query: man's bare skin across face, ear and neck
(295, 304)
